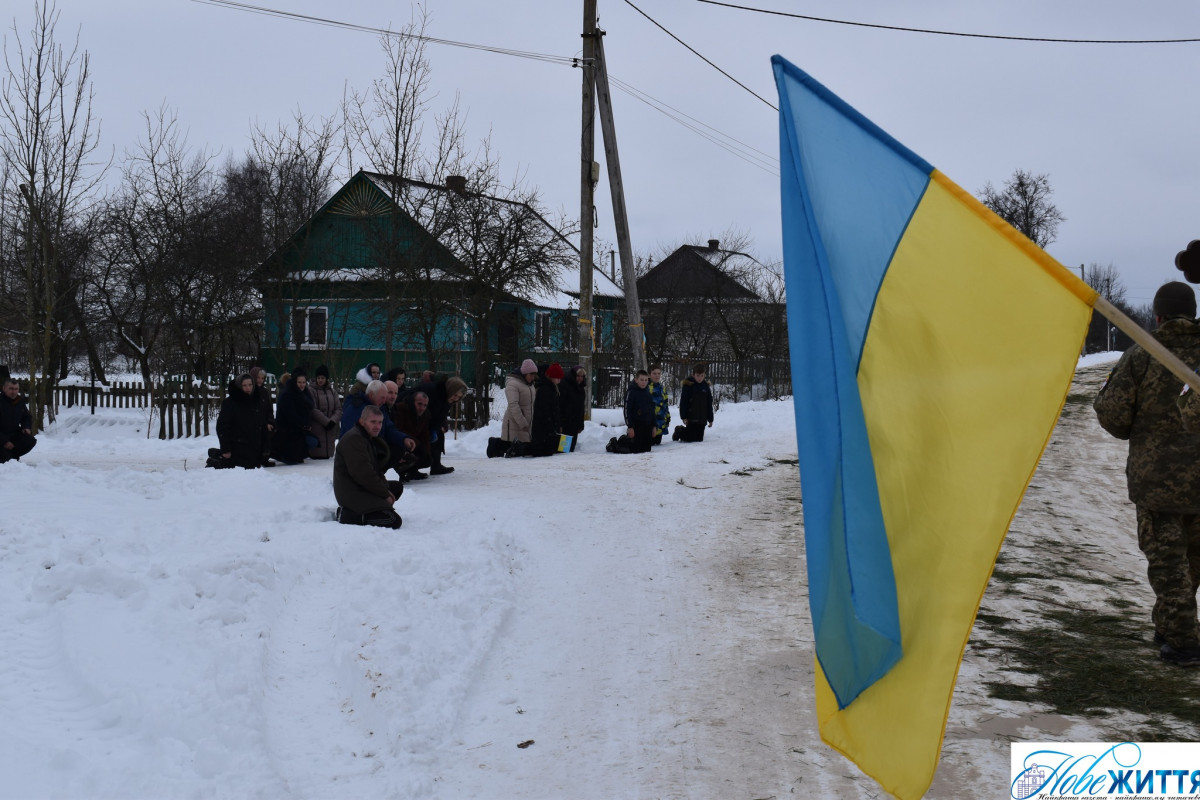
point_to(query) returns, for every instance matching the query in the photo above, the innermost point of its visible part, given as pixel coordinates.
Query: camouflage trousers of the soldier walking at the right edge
(1172, 545)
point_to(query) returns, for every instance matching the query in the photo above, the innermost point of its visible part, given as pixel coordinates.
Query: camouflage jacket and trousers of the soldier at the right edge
(1138, 404)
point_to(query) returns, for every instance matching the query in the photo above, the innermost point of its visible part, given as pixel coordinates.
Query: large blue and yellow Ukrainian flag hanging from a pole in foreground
(933, 347)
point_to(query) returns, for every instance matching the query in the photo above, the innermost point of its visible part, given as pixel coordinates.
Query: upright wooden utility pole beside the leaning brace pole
(587, 199)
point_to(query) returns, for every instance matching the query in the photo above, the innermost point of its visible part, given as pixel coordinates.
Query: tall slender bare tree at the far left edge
(47, 141)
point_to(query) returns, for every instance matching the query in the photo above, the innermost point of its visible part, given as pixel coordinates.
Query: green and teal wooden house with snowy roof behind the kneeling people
(391, 270)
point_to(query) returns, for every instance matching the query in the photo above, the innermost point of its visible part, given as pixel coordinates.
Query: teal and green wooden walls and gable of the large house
(325, 266)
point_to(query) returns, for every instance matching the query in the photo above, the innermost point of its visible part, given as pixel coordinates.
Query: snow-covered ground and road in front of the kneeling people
(586, 627)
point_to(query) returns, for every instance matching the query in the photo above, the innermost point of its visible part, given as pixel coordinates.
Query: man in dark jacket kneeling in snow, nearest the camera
(364, 496)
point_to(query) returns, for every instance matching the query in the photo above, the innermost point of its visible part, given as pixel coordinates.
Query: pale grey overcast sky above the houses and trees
(1112, 125)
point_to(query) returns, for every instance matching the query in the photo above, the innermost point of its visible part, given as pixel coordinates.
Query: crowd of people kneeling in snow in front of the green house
(383, 424)
